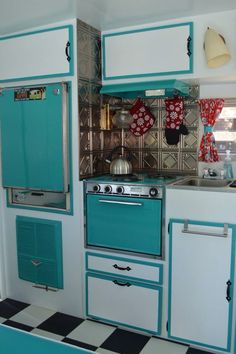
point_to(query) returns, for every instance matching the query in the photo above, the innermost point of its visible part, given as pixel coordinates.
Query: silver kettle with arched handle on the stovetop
(120, 165)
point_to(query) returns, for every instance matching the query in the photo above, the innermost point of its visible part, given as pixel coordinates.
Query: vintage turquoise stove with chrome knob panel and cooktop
(125, 214)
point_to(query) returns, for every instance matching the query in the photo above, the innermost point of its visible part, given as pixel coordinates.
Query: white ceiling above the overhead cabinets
(17, 15)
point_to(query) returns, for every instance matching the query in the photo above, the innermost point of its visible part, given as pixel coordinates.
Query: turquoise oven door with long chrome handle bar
(127, 224)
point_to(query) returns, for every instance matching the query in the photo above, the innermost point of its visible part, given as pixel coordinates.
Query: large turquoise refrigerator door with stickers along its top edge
(32, 140)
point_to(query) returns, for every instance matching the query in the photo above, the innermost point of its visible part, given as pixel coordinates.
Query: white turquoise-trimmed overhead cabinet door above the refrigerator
(37, 54)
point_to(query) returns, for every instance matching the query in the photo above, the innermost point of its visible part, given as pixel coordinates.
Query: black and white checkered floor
(98, 337)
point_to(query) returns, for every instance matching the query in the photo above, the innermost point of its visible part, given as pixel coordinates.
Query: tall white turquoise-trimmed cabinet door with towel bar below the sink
(200, 267)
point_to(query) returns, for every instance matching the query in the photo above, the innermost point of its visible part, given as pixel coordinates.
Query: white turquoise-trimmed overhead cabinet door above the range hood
(145, 52)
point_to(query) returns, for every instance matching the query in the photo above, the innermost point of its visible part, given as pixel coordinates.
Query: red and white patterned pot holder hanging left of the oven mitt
(143, 119)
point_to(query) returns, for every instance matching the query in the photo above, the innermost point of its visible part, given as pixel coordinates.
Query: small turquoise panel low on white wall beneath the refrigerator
(39, 251)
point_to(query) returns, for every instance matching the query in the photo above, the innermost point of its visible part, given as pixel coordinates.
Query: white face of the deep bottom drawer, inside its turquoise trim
(125, 305)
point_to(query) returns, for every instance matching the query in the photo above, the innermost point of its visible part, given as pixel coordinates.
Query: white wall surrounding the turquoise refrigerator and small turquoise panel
(69, 299)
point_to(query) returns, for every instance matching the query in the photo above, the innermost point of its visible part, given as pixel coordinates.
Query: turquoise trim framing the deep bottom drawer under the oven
(144, 285)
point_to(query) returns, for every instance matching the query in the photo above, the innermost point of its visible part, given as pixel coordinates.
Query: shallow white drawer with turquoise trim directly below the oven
(125, 267)
